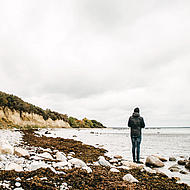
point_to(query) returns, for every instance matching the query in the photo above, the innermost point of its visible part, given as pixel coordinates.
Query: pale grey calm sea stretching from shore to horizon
(162, 141)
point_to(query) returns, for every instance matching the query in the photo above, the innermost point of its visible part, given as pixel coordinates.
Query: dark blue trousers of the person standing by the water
(136, 141)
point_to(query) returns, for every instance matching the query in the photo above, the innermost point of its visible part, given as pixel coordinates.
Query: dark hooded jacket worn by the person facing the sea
(136, 123)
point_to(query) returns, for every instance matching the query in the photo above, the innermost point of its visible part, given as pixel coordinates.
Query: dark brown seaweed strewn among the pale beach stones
(101, 177)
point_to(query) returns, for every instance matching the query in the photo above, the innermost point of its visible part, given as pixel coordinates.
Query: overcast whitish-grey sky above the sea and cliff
(99, 58)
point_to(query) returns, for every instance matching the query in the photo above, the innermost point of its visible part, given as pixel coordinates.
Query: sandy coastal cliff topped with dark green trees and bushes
(16, 112)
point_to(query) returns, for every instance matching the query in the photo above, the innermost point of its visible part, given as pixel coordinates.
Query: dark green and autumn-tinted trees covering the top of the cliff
(16, 103)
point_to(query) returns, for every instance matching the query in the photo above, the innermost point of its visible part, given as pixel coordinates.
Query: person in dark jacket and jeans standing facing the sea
(136, 123)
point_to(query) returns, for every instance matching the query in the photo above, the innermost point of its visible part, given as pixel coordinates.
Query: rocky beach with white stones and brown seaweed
(31, 160)
